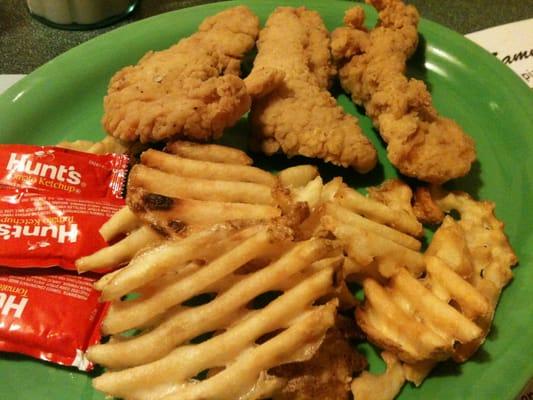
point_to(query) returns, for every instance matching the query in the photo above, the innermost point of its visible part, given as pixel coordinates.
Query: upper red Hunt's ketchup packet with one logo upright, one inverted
(53, 202)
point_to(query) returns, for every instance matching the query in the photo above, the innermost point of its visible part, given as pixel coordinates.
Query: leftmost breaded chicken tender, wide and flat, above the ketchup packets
(191, 90)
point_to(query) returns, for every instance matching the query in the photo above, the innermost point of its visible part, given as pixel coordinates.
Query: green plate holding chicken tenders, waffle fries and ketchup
(63, 100)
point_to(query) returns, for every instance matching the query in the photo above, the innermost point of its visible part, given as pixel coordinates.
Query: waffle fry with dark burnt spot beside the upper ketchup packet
(176, 205)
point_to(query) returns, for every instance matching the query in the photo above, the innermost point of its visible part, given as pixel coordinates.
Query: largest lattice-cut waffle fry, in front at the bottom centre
(158, 363)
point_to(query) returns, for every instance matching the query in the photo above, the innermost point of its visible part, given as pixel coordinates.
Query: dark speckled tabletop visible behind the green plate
(25, 43)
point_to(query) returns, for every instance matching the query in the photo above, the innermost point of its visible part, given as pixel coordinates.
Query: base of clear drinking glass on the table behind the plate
(80, 14)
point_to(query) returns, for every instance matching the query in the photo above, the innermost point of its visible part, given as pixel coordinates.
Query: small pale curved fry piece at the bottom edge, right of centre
(385, 386)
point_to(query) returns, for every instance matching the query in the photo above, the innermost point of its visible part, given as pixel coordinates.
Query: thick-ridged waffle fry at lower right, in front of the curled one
(409, 320)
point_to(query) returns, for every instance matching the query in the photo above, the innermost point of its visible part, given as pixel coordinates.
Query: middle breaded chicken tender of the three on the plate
(292, 110)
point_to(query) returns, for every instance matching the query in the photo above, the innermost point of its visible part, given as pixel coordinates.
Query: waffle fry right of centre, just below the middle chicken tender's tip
(377, 230)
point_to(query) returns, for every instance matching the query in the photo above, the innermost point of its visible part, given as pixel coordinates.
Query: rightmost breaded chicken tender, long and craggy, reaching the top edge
(420, 142)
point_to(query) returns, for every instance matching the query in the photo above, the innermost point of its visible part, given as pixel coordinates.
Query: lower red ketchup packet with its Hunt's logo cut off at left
(51, 314)
